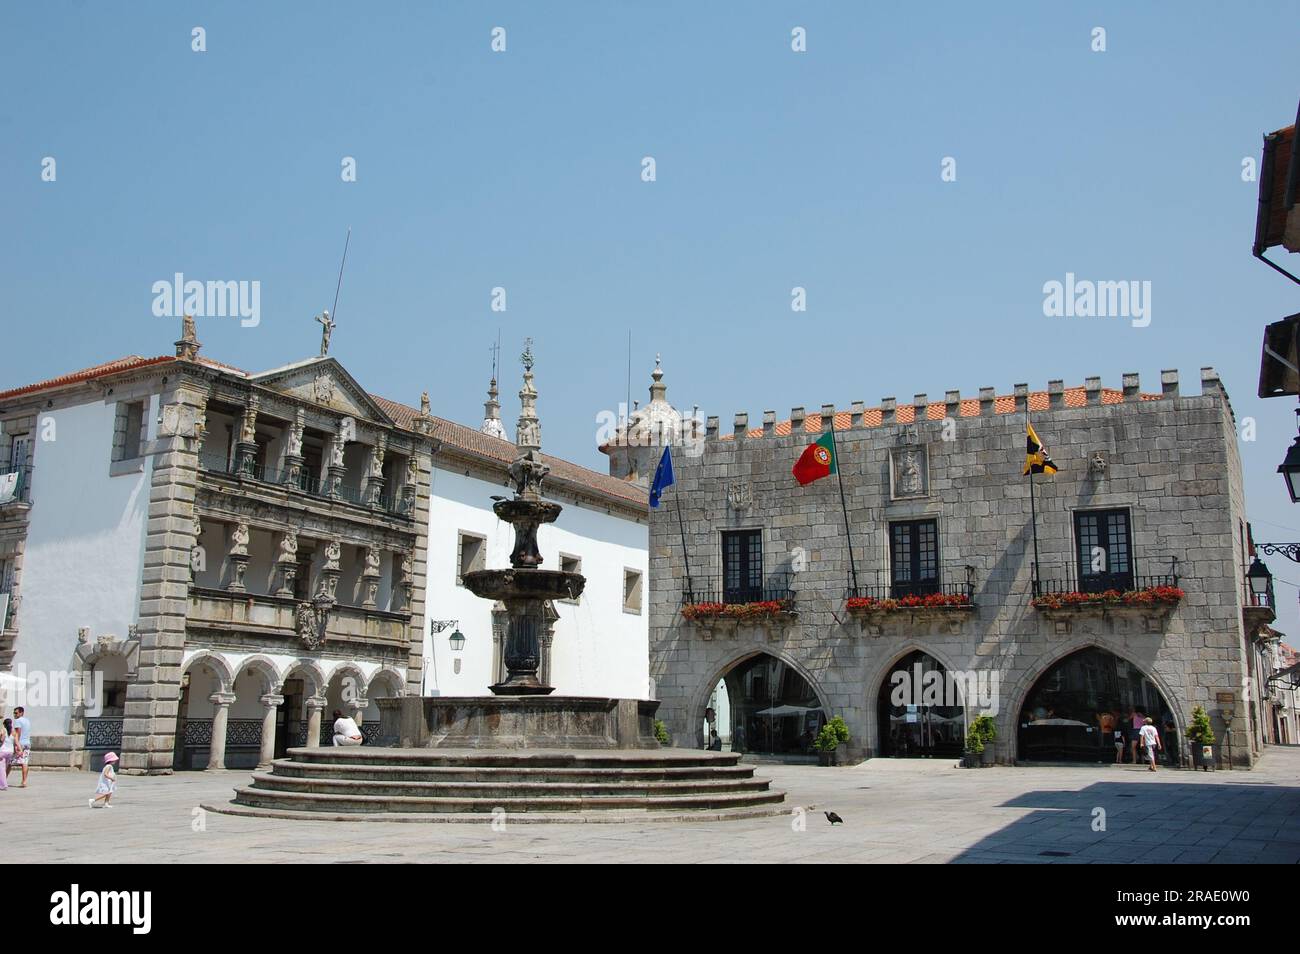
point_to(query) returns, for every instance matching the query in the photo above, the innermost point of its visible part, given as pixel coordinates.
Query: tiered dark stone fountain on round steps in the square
(522, 751)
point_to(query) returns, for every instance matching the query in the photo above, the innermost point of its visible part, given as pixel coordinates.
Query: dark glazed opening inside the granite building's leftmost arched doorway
(772, 709)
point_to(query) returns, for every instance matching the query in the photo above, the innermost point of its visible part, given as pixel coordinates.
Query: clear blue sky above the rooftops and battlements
(775, 170)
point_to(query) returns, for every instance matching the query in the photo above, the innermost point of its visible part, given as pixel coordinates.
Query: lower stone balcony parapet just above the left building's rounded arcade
(278, 618)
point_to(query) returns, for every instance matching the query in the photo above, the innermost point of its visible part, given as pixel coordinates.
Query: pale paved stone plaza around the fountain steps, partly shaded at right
(894, 810)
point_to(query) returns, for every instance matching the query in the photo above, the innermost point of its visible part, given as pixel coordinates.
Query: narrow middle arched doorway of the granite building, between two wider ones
(921, 713)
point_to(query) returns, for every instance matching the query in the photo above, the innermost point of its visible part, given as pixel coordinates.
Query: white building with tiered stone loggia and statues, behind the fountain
(200, 565)
